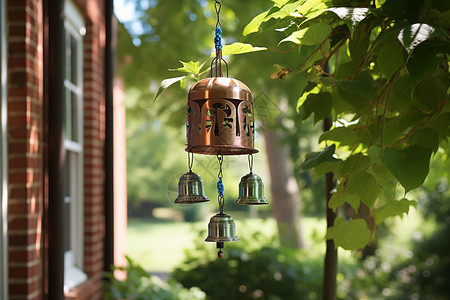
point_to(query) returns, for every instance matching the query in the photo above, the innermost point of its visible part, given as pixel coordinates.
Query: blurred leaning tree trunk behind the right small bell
(284, 188)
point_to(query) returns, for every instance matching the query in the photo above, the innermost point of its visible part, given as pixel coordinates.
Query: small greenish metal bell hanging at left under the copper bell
(190, 189)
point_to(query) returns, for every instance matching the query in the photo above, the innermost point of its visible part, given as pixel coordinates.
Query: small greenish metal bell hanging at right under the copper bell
(251, 190)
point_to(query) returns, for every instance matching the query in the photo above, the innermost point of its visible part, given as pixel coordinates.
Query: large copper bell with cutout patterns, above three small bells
(220, 117)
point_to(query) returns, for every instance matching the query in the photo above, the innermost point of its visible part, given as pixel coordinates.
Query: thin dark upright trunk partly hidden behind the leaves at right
(330, 264)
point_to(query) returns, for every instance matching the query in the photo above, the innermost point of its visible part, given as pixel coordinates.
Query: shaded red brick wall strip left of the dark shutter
(25, 147)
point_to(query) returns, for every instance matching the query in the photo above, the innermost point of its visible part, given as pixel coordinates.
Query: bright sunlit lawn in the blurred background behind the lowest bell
(159, 246)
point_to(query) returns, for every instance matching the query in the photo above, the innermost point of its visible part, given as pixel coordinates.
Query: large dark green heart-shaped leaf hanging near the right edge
(410, 166)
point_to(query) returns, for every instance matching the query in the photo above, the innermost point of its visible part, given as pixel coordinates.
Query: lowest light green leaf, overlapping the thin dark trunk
(350, 235)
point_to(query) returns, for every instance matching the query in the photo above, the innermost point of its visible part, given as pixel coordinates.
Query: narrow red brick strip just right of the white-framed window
(94, 137)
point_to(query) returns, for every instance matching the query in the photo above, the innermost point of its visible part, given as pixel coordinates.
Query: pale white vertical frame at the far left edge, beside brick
(3, 158)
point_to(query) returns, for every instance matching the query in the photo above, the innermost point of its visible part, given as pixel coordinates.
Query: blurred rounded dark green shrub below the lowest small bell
(251, 272)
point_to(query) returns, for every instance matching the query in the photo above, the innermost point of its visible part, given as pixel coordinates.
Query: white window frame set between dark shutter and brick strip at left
(73, 259)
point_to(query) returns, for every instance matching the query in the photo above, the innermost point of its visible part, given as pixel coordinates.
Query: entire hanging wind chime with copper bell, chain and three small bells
(220, 121)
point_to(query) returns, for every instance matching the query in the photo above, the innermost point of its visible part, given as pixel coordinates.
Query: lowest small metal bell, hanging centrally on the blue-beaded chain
(221, 228)
